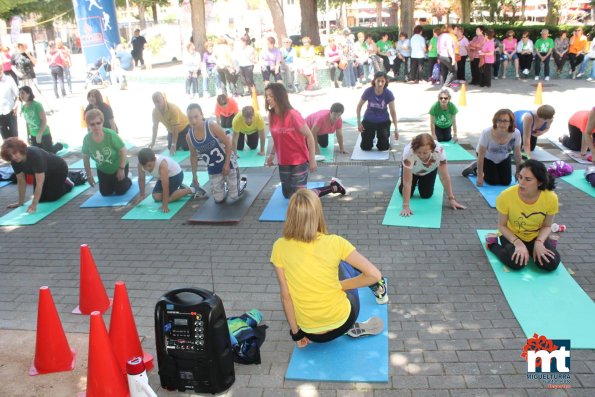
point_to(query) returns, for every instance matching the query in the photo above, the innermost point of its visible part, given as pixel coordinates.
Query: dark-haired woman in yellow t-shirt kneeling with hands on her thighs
(525, 216)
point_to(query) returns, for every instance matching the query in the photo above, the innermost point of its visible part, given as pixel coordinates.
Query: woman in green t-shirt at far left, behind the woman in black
(36, 120)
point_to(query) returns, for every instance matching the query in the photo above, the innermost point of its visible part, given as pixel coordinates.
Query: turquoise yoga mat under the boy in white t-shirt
(150, 210)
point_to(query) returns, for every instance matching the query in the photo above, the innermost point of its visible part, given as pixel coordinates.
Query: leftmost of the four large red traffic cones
(52, 352)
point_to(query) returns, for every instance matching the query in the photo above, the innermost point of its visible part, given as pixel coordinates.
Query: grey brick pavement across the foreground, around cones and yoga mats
(451, 331)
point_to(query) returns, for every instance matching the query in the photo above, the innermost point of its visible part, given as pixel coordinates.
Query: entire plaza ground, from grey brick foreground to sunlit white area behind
(451, 331)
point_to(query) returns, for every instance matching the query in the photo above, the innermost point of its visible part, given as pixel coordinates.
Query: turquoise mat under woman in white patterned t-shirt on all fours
(427, 213)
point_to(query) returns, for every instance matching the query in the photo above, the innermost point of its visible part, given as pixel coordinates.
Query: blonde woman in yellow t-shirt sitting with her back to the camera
(319, 274)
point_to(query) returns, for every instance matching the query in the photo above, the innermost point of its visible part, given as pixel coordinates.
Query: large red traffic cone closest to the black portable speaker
(123, 333)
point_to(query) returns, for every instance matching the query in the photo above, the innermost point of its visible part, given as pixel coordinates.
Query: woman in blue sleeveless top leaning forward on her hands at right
(533, 123)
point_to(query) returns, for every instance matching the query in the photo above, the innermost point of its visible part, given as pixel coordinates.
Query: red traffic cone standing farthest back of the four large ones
(92, 296)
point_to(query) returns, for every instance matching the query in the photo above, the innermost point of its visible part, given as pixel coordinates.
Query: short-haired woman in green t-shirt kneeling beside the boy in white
(109, 152)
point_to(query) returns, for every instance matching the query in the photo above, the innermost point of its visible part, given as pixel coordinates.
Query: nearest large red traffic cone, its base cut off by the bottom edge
(104, 377)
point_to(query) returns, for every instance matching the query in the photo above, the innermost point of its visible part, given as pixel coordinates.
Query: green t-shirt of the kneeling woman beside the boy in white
(105, 153)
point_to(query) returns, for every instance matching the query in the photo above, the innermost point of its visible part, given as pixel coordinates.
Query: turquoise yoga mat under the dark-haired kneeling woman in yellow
(546, 303)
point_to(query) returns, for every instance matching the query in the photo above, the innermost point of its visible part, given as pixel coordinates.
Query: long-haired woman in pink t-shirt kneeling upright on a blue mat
(293, 143)
